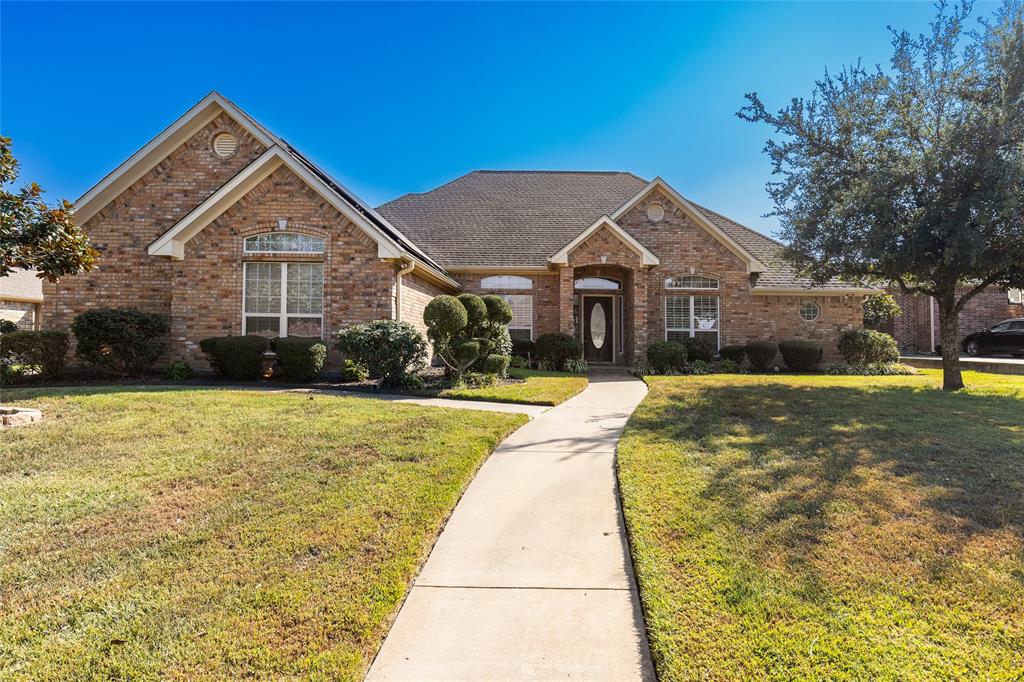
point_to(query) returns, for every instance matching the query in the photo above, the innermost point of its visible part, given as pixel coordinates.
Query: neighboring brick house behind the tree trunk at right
(917, 328)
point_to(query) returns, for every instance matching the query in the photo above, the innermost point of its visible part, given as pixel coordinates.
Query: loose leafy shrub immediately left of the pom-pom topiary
(390, 351)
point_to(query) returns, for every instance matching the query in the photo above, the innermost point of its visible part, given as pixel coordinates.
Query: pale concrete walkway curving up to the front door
(531, 579)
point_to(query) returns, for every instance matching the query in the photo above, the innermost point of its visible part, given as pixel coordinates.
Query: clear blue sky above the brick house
(402, 98)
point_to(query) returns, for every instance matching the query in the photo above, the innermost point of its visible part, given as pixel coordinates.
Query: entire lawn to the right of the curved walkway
(830, 528)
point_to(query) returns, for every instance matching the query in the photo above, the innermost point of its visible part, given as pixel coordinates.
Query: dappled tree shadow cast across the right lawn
(901, 480)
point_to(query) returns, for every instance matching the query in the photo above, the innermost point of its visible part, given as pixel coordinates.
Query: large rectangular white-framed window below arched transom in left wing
(284, 300)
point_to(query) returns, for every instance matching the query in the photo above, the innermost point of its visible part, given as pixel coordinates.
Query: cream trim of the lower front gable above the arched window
(173, 243)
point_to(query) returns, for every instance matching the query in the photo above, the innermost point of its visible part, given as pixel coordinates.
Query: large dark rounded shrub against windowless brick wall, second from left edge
(125, 342)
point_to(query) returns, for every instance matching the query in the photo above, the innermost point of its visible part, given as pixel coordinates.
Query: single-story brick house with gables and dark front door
(227, 229)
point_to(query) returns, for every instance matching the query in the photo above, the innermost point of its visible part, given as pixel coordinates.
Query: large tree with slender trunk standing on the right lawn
(912, 175)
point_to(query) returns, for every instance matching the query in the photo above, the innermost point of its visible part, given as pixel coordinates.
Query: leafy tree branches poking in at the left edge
(35, 236)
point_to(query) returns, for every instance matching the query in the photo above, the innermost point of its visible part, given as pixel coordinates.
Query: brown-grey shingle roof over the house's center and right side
(521, 219)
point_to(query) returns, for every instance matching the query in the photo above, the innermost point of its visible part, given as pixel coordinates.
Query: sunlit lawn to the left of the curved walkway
(198, 534)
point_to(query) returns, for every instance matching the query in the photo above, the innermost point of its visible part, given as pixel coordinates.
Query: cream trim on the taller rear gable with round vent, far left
(160, 148)
